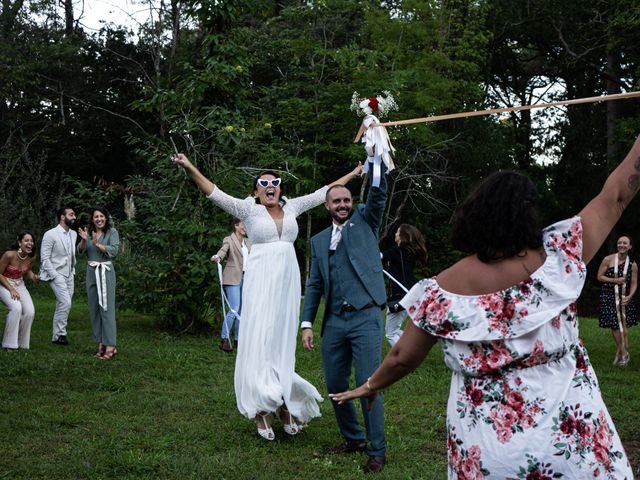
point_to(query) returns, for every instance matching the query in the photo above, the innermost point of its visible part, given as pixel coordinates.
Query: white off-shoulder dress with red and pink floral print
(524, 400)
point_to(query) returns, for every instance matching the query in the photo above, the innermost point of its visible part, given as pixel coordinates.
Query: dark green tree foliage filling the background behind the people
(244, 85)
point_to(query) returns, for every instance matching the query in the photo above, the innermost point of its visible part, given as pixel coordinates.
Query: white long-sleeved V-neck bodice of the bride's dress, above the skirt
(260, 227)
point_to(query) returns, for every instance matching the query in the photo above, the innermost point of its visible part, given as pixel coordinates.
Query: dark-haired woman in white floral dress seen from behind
(524, 400)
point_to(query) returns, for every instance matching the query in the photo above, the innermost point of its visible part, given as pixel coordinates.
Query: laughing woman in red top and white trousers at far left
(15, 263)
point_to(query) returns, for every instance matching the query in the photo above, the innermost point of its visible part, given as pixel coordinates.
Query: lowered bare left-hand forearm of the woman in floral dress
(402, 359)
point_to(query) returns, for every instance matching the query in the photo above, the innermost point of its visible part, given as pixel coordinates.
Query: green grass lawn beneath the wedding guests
(165, 408)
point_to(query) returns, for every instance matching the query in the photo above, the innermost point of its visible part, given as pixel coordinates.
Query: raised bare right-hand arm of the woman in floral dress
(604, 211)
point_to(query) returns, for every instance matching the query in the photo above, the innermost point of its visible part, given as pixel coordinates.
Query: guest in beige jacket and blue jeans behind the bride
(236, 248)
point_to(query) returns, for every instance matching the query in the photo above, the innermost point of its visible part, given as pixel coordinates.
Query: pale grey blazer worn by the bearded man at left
(57, 257)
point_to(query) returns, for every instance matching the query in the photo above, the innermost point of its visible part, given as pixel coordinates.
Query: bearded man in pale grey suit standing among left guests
(57, 267)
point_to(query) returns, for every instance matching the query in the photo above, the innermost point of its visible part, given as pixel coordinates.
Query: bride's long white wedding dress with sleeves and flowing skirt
(265, 362)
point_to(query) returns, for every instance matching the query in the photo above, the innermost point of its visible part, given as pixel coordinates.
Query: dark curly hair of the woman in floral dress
(499, 219)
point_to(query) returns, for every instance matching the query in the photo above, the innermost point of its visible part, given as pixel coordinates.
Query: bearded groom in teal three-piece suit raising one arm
(347, 270)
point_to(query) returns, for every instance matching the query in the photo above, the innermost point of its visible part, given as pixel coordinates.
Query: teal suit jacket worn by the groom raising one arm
(360, 240)
